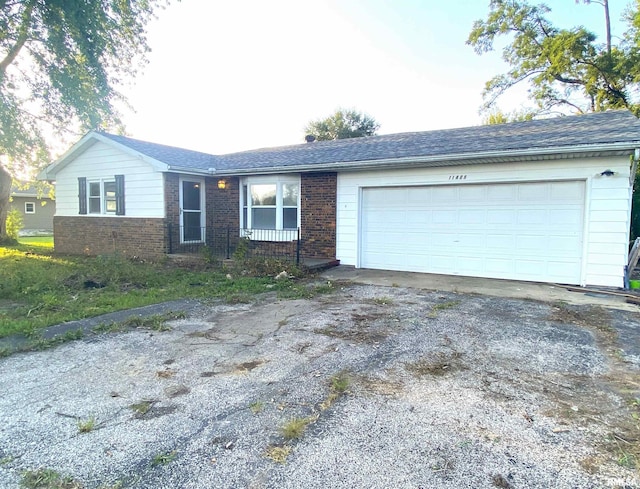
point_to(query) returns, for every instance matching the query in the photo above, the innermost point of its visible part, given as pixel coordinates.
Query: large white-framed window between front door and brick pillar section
(269, 203)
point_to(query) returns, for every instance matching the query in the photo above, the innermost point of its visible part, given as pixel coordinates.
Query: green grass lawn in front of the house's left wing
(39, 289)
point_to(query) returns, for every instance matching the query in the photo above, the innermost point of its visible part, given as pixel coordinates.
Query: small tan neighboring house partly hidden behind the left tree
(37, 210)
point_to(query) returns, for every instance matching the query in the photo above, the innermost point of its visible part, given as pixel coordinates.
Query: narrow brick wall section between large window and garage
(318, 214)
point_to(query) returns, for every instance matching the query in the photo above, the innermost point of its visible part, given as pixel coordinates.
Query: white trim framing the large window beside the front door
(262, 235)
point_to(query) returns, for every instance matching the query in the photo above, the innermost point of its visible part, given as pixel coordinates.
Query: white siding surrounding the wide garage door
(607, 204)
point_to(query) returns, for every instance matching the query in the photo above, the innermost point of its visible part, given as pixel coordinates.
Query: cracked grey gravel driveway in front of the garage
(396, 387)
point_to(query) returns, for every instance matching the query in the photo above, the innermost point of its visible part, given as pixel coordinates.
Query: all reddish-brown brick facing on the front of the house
(153, 238)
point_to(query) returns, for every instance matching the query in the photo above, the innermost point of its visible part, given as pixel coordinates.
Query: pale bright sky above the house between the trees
(227, 76)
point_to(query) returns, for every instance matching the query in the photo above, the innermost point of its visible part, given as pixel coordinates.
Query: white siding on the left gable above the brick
(144, 188)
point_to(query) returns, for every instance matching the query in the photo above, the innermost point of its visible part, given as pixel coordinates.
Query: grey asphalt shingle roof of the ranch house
(592, 129)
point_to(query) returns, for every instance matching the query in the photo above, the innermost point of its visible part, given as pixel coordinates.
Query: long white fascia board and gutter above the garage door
(509, 156)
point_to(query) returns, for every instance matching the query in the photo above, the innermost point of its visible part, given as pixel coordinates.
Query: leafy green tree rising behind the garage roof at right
(565, 68)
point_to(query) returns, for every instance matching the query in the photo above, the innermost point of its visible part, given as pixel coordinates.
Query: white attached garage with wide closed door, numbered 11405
(559, 219)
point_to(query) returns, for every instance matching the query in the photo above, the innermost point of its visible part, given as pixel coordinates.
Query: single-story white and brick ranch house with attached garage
(545, 200)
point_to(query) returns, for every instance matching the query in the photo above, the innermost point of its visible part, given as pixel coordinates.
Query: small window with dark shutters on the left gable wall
(105, 196)
